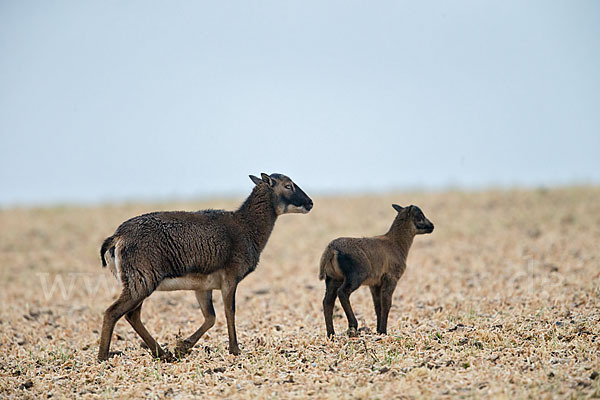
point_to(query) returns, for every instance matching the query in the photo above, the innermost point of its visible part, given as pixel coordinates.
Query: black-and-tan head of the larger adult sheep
(287, 196)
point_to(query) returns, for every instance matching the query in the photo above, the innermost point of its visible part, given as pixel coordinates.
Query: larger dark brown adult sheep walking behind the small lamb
(200, 251)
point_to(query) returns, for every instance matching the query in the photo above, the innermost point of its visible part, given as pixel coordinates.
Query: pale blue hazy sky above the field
(124, 100)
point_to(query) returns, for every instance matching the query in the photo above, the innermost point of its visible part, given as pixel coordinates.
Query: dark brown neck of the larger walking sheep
(258, 215)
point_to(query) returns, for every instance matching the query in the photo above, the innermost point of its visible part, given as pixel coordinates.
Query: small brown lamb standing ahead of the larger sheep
(377, 262)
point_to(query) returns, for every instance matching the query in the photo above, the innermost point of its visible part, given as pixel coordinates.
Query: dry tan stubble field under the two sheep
(501, 301)
